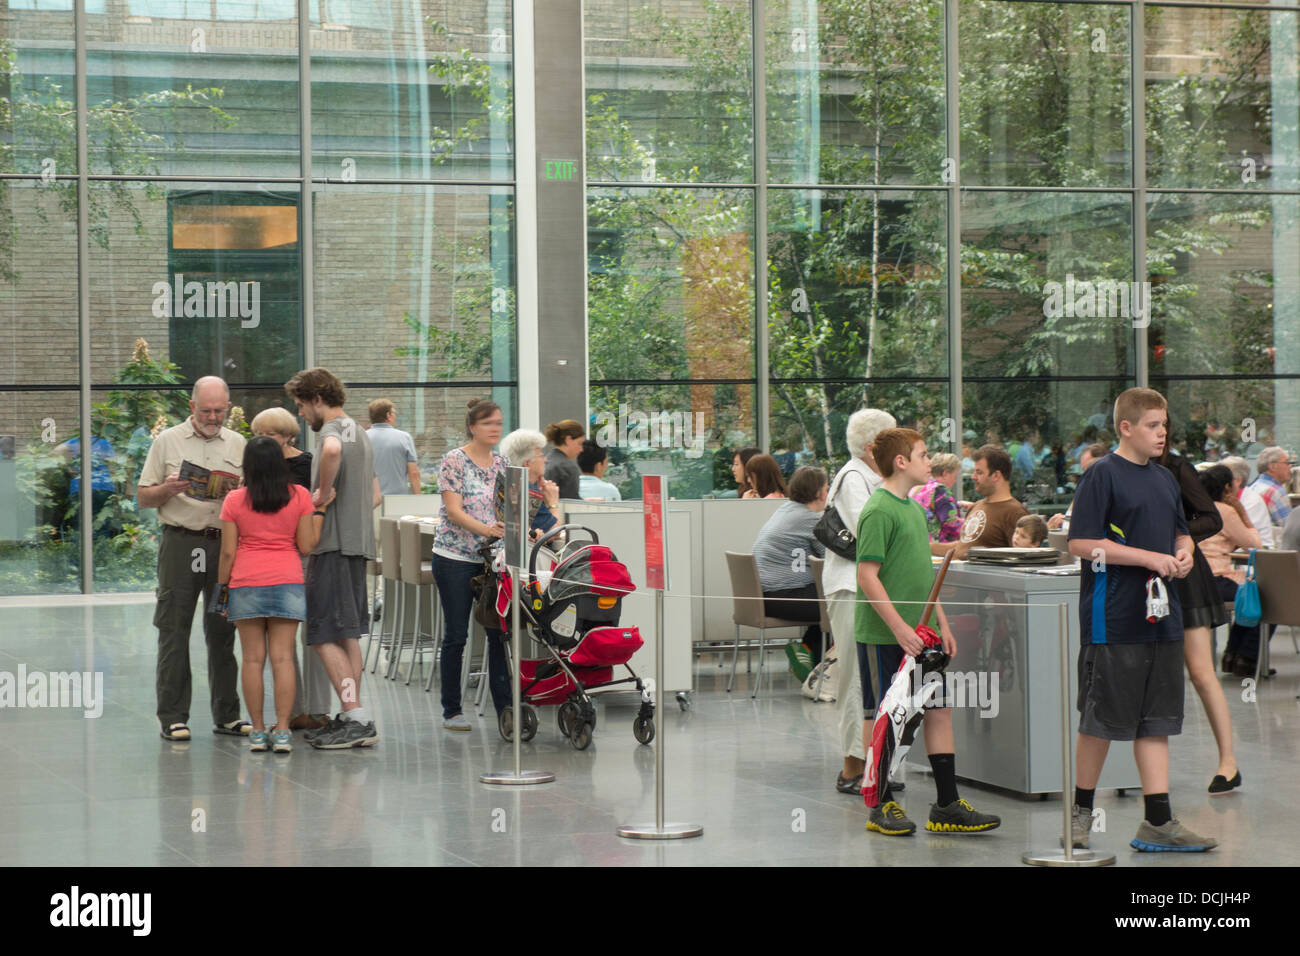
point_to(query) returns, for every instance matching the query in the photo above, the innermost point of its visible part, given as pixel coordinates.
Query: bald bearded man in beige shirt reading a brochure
(189, 556)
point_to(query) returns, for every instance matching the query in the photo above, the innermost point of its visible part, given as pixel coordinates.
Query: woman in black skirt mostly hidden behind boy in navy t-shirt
(1203, 612)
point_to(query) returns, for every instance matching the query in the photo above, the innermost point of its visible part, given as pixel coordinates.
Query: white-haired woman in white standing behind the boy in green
(853, 485)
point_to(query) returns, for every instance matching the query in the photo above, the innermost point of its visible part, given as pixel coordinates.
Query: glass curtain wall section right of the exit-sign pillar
(1111, 228)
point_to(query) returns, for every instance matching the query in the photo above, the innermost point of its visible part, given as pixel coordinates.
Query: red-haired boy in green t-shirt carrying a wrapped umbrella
(894, 565)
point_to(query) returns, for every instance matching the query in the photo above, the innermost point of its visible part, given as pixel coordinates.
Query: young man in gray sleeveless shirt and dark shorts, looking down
(337, 608)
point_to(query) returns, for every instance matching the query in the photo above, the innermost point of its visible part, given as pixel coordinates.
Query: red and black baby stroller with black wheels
(573, 609)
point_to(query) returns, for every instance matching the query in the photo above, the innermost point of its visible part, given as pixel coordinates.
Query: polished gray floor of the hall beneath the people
(756, 773)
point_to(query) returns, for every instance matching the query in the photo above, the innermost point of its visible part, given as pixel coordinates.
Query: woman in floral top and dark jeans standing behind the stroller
(467, 482)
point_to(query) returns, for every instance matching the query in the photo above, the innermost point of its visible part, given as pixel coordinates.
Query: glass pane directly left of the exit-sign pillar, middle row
(417, 284)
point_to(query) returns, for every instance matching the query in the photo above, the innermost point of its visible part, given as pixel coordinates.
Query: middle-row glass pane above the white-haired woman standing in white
(857, 292)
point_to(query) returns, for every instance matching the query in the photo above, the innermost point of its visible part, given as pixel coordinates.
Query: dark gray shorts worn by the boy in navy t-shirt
(1129, 691)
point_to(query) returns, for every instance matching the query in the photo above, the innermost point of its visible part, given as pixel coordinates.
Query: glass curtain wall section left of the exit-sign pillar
(196, 245)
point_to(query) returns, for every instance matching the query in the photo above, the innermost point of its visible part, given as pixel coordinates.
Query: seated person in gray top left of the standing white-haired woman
(782, 553)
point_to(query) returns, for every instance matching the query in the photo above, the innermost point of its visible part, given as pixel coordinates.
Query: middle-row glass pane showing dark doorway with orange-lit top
(207, 275)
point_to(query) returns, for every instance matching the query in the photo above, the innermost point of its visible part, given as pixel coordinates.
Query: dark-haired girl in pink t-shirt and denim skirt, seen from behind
(266, 526)
